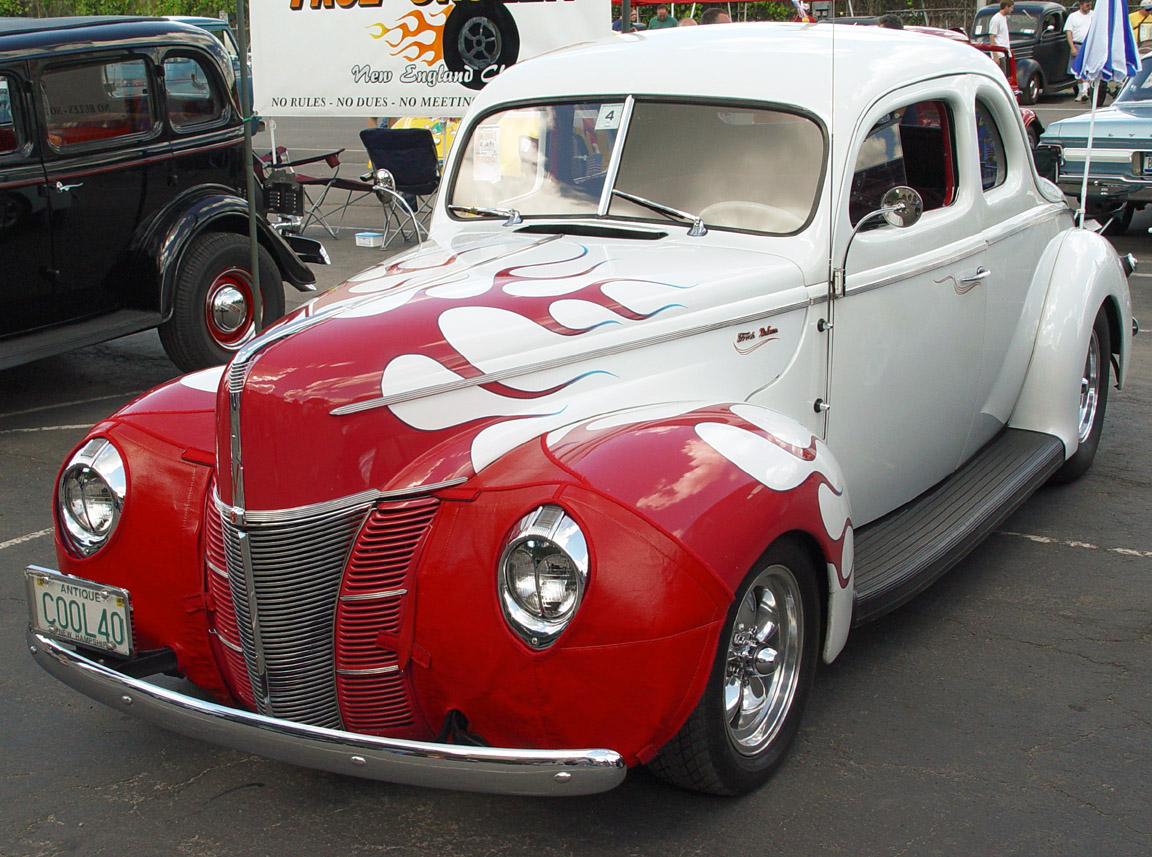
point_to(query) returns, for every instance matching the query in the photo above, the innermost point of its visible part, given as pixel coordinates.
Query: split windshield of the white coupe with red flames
(736, 168)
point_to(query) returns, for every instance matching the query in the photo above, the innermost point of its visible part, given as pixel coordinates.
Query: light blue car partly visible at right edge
(1120, 171)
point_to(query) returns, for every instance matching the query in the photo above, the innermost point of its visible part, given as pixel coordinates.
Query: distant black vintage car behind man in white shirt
(1039, 43)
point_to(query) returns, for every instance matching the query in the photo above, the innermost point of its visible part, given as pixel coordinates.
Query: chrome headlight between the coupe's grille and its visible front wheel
(543, 575)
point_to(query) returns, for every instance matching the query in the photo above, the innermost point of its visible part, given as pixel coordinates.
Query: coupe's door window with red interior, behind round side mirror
(914, 147)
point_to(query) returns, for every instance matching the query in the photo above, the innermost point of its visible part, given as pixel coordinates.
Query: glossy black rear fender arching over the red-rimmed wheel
(204, 209)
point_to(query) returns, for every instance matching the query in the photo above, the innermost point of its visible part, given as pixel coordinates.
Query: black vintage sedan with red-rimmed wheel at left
(123, 194)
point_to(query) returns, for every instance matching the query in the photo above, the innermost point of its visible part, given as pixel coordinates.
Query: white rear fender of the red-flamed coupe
(1086, 276)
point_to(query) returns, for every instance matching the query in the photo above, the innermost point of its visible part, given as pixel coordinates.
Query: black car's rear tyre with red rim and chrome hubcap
(215, 313)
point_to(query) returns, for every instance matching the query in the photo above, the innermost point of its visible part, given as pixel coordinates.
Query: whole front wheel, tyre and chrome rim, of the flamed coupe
(761, 680)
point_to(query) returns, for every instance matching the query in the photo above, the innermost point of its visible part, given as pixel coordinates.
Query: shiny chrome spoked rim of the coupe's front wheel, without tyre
(762, 672)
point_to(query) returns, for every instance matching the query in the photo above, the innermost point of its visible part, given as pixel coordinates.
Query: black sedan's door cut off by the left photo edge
(26, 248)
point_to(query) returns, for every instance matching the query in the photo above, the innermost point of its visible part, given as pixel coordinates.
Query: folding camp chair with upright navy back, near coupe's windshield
(406, 178)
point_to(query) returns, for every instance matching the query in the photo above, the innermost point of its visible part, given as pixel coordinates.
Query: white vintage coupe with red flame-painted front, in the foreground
(678, 393)
